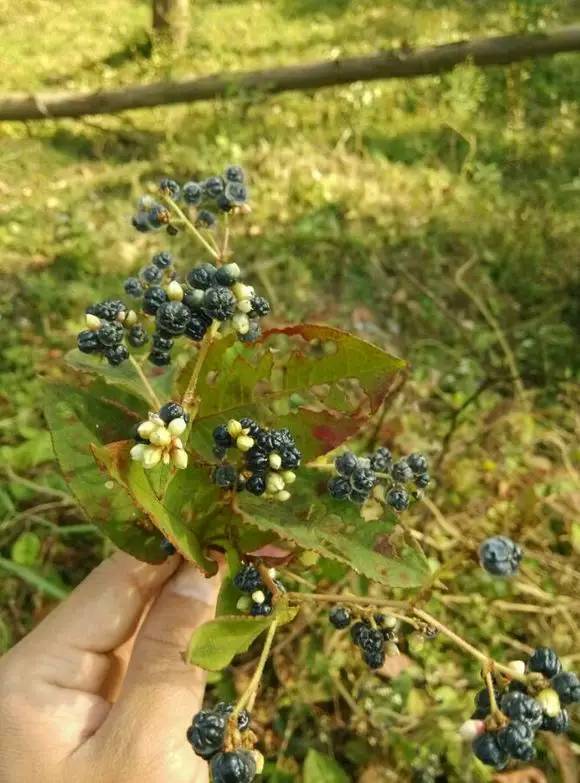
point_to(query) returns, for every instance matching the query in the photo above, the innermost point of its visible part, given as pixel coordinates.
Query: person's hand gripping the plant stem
(98, 692)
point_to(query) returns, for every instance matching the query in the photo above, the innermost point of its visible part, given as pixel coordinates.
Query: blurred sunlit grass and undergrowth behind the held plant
(436, 217)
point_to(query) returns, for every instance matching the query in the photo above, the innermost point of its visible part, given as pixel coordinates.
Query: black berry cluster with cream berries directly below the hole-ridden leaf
(269, 458)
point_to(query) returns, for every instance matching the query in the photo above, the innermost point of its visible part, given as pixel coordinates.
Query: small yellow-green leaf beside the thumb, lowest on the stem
(214, 645)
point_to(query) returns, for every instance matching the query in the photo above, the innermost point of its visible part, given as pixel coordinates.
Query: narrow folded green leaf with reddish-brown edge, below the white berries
(115, 459)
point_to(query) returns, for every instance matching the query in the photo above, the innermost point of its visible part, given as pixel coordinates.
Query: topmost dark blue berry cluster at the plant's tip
(225, 192)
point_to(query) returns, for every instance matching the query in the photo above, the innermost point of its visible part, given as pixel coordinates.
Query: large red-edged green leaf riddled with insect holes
(321, 382)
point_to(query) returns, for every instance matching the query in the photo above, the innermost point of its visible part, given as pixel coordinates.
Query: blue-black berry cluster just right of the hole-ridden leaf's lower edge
(358, 476)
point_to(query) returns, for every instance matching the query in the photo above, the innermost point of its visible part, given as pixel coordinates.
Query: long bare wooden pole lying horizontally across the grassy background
(396, 64)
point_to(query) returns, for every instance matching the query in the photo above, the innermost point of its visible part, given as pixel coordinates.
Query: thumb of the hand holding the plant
(161, 693)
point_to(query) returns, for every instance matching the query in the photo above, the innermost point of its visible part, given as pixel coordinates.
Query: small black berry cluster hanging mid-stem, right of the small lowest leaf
(375, 635)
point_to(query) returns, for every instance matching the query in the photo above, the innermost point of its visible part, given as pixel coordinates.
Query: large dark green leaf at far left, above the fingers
(76, 419)
